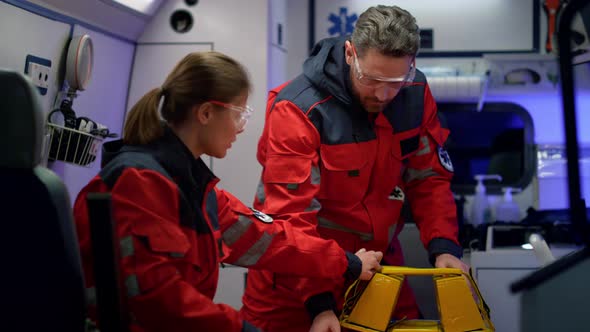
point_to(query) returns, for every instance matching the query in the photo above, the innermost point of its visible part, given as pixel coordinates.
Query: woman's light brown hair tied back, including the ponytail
(197, 78)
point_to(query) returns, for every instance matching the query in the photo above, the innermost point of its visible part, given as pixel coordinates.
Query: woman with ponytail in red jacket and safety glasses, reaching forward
(174, 225)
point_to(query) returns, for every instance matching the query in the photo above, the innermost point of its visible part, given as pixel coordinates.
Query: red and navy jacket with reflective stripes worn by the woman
(175, 228)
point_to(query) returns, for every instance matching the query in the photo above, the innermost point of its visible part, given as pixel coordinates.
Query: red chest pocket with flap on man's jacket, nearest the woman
(344, 172)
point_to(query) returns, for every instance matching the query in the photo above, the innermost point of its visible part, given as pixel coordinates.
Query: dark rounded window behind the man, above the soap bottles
(497, 140)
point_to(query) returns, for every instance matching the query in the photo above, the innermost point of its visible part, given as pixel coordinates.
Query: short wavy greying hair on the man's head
(388, 29)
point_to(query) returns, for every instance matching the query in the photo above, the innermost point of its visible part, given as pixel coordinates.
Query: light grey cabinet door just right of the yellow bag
(494, 284)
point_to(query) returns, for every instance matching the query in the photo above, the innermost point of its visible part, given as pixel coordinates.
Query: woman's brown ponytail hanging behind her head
(143, 124)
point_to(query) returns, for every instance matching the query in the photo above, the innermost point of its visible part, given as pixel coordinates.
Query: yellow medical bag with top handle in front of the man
(368, 306)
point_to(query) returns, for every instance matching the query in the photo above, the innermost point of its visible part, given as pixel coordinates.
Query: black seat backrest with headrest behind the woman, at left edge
(42, 283)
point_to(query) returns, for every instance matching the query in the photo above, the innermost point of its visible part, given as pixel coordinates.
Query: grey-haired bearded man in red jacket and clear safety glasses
(344, 145)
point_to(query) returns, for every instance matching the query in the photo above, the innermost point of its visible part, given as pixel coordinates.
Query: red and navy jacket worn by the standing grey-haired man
(335, 172)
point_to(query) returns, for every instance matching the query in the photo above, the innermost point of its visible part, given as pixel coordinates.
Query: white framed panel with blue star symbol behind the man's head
(458, 25)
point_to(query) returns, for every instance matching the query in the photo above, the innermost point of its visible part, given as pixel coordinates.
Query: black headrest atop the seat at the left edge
(23, 121)
